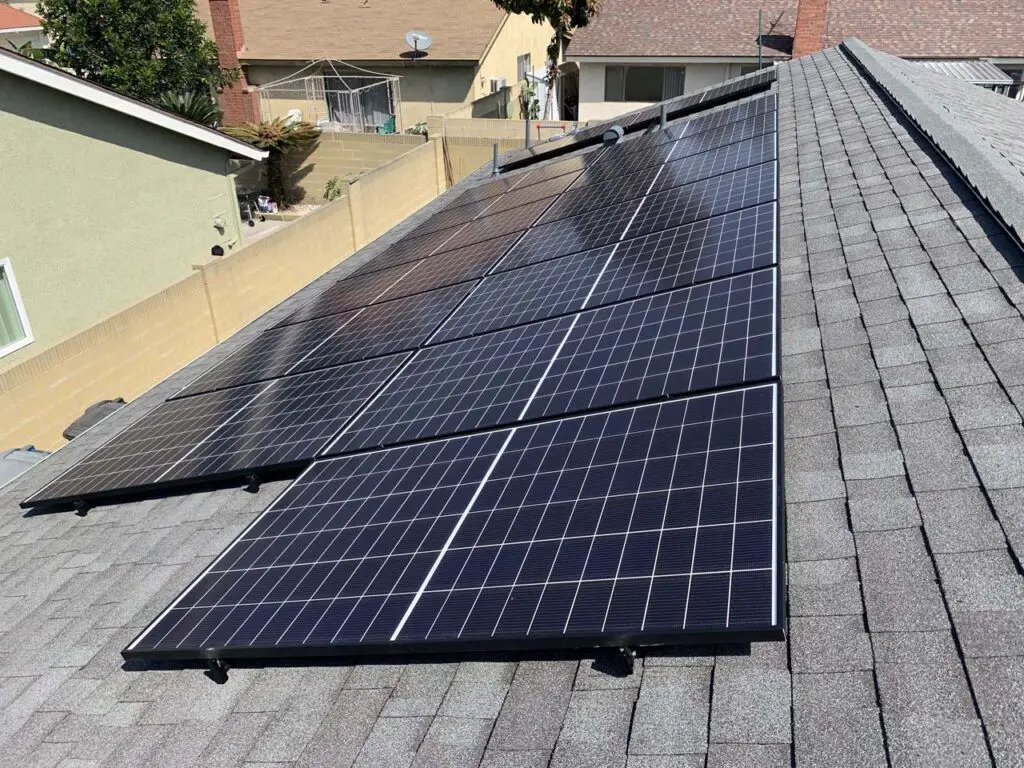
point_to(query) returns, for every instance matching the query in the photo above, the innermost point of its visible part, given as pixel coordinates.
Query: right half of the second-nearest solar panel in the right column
(714, 335)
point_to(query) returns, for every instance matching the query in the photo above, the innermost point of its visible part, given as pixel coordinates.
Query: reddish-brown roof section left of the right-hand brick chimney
(687, 28)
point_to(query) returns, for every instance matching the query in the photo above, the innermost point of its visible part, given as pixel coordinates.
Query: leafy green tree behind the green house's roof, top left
(142, 49)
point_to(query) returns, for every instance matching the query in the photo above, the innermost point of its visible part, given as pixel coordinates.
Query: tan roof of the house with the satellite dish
(365, 30)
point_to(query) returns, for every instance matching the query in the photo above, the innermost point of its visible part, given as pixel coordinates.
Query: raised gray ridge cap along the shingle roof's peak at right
(998, 186)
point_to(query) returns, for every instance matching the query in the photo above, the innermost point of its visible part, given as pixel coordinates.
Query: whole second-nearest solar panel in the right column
(718, 334)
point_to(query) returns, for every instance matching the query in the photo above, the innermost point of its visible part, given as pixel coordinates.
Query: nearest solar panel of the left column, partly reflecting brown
(225, 434)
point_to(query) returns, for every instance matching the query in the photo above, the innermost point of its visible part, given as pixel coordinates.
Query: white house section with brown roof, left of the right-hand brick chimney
(641, 52)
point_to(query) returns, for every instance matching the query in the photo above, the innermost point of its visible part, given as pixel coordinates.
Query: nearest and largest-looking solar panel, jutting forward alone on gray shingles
(649, 525)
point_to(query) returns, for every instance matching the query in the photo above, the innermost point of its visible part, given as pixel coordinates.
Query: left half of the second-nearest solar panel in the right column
(483, 381)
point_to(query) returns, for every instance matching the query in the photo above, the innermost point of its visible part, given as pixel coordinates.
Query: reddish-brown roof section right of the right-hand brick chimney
(930, 28)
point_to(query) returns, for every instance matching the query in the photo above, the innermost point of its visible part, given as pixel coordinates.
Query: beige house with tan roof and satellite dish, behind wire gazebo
(474, 44)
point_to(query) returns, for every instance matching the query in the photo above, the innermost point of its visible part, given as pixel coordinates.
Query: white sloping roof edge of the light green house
(51, 77)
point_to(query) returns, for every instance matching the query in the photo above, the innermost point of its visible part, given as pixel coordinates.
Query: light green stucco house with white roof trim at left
(105, 202)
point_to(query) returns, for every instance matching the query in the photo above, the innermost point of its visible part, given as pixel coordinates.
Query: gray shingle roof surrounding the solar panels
(904, 377)
